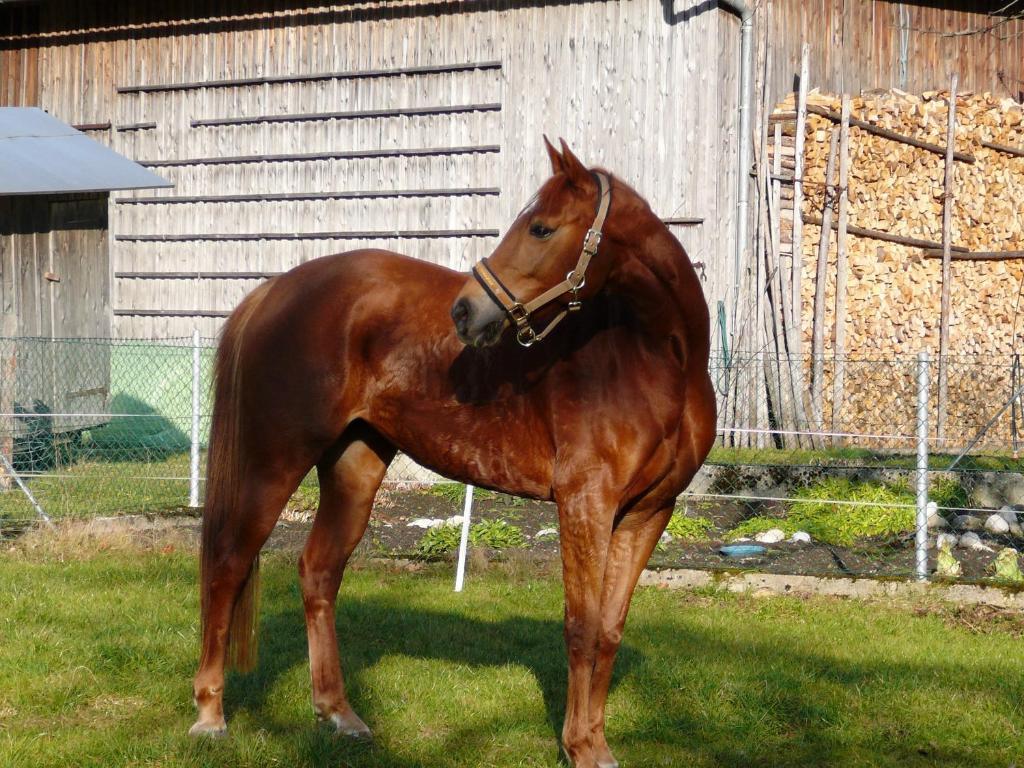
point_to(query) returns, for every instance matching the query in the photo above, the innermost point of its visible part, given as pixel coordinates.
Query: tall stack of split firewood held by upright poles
(893, 290)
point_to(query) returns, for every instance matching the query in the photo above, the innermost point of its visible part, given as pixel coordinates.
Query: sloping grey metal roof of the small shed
(40, 155)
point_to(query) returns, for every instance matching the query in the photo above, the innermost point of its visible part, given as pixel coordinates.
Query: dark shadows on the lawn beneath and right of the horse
(794, 710)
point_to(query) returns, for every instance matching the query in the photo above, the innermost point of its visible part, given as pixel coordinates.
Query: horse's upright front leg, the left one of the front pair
(586, 519)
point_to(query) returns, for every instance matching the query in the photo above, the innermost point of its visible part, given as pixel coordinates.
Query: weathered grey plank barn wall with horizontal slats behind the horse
(648, 94)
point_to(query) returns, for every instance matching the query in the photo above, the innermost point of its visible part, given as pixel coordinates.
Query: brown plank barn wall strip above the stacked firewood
(859, 46)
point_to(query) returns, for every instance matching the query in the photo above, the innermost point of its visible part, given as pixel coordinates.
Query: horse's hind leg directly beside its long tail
(233, 553)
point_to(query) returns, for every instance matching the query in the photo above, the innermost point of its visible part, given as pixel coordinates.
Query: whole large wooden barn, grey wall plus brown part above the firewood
(293, 131)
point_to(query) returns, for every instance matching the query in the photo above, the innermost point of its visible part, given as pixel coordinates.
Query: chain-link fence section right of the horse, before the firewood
(820, 462)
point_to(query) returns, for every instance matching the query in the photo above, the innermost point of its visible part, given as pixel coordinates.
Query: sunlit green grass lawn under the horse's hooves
(98, 653)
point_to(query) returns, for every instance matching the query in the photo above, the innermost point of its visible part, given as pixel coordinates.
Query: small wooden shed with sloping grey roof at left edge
(55, 264)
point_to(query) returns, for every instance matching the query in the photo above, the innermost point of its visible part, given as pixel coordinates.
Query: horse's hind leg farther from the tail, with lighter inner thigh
(350, 478)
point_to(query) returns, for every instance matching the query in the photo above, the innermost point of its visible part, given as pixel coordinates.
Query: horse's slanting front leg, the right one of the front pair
(632, 543)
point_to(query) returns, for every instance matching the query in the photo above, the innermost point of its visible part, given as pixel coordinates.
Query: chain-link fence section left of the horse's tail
(99, 428)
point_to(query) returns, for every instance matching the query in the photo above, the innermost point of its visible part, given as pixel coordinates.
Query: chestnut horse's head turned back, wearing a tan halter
(546, 265)
